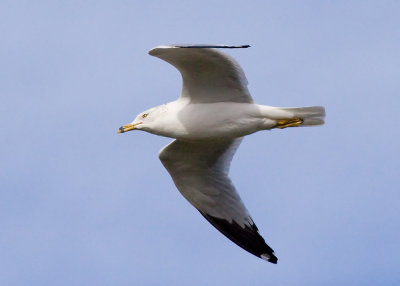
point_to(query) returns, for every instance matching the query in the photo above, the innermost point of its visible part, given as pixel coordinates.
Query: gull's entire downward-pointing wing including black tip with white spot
(200, 172)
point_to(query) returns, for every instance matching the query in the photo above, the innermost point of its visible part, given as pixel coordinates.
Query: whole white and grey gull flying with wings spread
(208, 121)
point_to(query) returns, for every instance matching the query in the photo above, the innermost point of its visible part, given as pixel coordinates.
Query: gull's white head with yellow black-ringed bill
(144, 120)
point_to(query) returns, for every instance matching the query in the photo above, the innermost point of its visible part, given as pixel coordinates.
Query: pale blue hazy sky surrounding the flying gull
(81, 205)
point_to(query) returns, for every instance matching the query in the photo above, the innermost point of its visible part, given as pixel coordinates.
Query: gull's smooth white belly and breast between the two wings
(212, 121)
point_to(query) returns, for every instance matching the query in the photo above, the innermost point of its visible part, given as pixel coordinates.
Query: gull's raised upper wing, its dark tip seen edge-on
(208, 74)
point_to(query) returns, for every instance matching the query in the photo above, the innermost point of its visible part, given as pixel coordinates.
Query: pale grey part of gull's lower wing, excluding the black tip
(199, 170)
